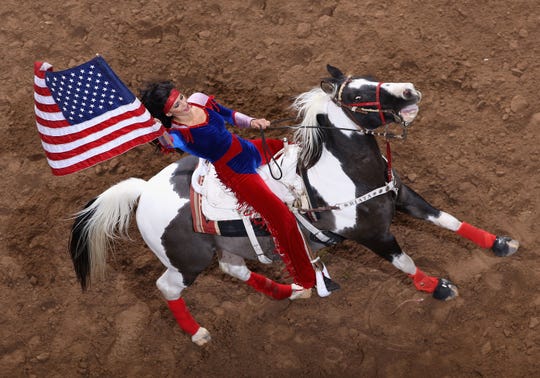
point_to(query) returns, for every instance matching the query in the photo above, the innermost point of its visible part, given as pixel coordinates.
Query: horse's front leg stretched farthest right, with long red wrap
(413, 204)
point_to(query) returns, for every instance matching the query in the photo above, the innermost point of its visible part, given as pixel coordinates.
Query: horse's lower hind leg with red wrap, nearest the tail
(171, 285)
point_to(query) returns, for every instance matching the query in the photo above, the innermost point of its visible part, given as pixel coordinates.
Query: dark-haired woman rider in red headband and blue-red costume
(197, 125)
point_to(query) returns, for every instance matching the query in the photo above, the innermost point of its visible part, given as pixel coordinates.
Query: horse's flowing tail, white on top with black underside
(103, 220)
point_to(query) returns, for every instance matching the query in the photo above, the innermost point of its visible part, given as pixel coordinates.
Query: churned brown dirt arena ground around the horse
(473, 151)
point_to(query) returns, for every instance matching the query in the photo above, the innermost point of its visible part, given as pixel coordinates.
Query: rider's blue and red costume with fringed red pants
(236, 160)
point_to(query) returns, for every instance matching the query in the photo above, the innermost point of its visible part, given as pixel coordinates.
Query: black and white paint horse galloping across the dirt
(354, 192)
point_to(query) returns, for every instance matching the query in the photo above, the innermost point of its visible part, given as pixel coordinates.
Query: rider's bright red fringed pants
(252, 190)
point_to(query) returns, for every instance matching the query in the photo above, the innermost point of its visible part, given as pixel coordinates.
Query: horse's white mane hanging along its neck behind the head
(308, 136)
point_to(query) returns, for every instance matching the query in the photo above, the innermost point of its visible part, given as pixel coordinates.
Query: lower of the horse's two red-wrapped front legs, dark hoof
(388, 248)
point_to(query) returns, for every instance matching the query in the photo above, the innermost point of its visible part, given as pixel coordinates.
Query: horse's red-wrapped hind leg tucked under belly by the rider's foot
(235, 266)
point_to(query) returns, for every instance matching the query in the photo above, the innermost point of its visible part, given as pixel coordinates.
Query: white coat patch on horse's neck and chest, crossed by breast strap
(334, 186)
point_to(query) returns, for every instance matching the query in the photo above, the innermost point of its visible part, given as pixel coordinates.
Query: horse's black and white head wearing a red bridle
(370, 103)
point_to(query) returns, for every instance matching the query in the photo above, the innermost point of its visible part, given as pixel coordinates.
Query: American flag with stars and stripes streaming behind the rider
(86, 115)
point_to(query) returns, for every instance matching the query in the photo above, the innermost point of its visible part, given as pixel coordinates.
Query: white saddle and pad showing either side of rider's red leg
(219, 203)
